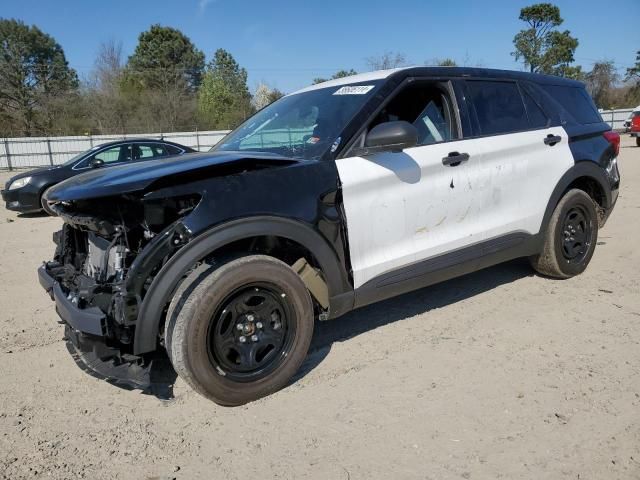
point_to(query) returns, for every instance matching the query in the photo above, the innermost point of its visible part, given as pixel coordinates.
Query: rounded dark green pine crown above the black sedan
(164, 56)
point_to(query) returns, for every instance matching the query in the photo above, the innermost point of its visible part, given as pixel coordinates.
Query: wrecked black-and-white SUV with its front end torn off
(334, 197)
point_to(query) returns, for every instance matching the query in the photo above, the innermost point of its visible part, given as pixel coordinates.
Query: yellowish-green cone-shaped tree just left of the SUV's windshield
(224, 99)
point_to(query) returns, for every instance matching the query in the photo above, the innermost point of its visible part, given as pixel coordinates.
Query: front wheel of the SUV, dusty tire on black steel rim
(256, 297)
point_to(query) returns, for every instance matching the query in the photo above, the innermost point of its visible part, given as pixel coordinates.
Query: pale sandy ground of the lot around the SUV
(500, 374)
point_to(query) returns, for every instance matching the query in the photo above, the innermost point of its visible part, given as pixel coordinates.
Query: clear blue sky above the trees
(290, 42)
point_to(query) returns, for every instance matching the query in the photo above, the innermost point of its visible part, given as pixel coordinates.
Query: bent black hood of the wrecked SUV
(104, 182)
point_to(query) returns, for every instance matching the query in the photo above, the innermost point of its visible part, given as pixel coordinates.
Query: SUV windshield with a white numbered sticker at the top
(304, 125)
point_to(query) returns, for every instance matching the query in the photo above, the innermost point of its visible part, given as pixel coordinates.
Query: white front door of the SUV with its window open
(402, 208)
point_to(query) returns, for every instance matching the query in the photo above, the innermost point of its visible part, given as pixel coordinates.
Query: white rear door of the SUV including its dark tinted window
(519, 156)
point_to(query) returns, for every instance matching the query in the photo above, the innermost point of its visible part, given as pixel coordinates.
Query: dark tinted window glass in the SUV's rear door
(498, 106)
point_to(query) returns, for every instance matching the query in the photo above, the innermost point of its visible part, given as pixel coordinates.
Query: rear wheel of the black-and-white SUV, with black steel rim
(570, 238)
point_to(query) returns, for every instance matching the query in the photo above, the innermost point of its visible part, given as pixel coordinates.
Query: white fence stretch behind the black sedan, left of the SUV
(29, 152)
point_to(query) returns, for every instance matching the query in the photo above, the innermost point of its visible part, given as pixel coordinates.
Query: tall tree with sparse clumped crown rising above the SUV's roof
(542, 47)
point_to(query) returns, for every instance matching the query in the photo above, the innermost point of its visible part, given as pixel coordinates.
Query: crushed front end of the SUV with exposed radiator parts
(106, 256)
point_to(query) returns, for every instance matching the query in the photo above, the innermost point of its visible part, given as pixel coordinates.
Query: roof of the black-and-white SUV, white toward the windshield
(442, 72)
